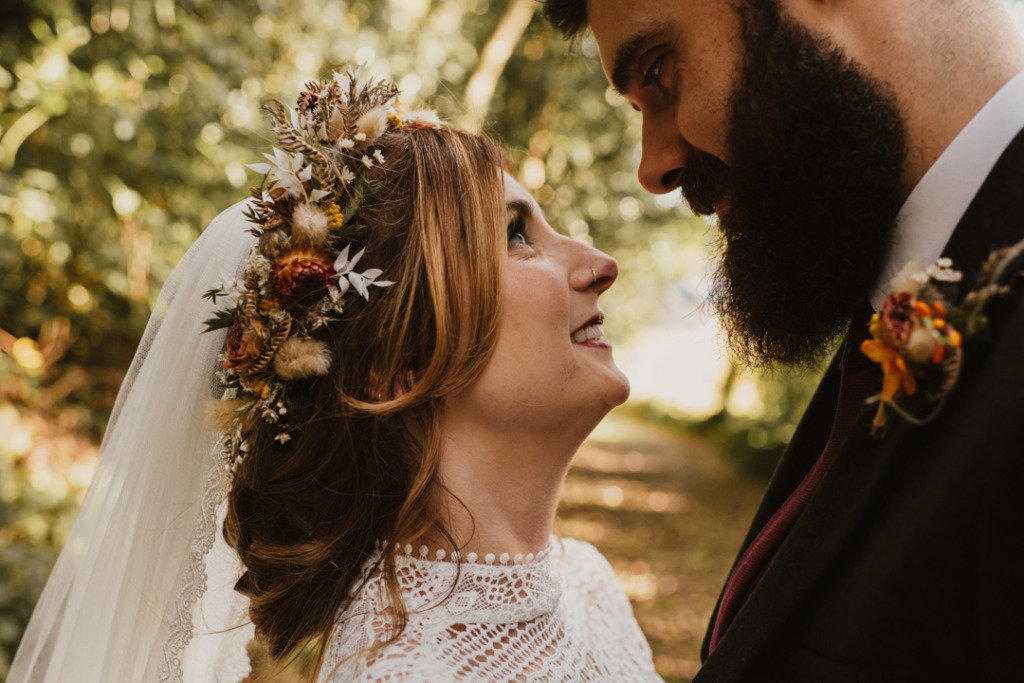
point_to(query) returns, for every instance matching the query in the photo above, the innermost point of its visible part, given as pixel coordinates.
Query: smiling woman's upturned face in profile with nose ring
(551, 365)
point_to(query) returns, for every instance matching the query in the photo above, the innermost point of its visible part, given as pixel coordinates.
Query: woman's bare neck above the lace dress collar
(503, 488)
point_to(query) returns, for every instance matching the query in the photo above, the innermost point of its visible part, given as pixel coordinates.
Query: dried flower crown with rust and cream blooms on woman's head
(302, 272)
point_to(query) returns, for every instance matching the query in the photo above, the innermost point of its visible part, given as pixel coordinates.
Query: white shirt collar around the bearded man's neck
(942, 198)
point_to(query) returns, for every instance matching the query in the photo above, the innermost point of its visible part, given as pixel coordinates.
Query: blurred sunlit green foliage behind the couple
(125, 126)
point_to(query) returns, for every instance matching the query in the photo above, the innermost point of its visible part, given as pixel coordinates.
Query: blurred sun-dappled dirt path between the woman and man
(669, 515)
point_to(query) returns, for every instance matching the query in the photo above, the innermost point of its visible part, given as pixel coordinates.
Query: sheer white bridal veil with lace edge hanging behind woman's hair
(143, 590)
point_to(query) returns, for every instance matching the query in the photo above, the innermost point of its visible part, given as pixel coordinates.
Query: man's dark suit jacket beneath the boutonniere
(908, 565)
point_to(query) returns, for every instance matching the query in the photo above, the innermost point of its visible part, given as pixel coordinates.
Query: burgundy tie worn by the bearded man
(860, 379)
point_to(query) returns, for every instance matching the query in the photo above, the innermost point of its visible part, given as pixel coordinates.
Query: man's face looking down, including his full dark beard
(774, 129)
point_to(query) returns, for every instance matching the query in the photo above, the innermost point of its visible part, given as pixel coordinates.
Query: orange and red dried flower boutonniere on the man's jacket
(919, 333)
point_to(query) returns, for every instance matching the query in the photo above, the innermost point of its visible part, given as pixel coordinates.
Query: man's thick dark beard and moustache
(809, 198)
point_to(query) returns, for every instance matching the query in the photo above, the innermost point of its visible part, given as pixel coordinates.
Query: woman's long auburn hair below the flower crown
(361, 468)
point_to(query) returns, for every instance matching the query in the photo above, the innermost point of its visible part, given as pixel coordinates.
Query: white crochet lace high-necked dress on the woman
(559, 617)
